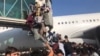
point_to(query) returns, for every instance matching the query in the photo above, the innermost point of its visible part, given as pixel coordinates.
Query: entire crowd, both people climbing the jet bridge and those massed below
(54, 46)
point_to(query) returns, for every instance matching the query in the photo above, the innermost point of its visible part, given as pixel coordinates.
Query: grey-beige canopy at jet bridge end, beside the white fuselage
(48, 18)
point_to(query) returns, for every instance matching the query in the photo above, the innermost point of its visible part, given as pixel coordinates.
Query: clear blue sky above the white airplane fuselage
(71, 7)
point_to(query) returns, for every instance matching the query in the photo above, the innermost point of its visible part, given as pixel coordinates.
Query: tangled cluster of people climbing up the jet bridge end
(41, 12)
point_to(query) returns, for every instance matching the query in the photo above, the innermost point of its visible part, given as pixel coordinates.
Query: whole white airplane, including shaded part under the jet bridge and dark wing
(79, 28)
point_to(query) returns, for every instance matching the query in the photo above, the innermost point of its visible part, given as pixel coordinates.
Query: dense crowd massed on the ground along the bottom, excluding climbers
(59, 47)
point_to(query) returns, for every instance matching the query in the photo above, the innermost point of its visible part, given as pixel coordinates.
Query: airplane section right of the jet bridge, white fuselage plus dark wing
(81, 27)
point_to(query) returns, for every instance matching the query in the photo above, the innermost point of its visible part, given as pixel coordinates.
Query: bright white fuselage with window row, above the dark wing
(76, 24)
